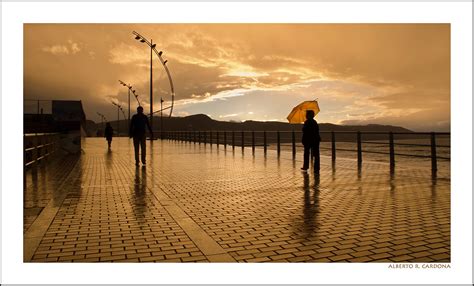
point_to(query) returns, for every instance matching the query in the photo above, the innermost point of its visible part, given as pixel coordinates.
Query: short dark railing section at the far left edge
(39, 146)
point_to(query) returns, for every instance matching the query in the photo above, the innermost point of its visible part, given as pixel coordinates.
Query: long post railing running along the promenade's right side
(287, 140)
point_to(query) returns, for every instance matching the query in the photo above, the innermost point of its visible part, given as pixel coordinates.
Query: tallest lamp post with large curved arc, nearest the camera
(152, 46)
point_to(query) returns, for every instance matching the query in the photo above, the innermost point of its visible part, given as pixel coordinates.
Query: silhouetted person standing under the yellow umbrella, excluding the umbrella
(311, 140)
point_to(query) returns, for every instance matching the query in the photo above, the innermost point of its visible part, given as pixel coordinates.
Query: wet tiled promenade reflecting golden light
(200, 203)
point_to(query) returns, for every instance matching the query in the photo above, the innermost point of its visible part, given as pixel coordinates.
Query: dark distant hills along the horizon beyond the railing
(201, 122)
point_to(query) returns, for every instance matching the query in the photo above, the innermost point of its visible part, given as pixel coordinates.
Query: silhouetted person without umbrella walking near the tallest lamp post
(138, 126)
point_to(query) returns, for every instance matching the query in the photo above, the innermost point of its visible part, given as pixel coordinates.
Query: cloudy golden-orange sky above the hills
(360, 73)
